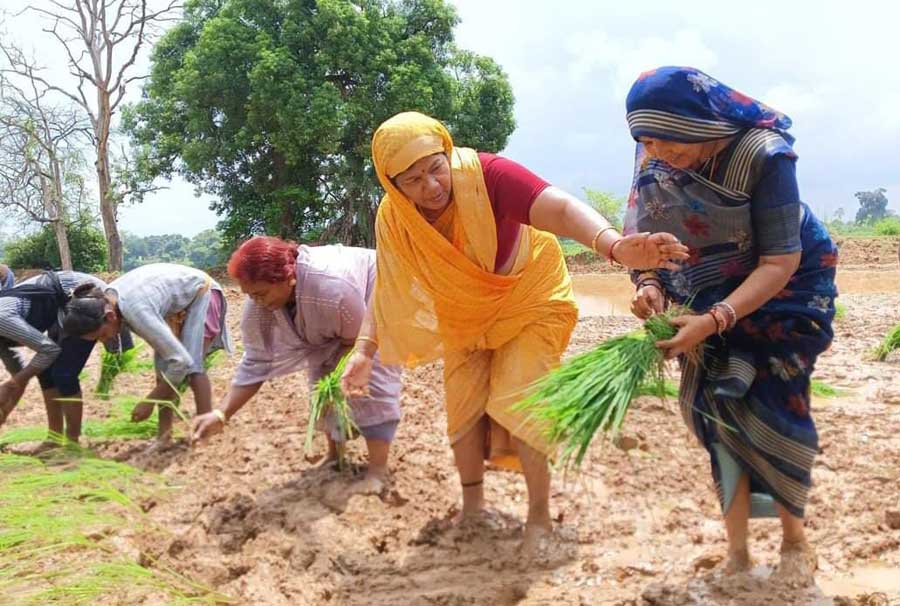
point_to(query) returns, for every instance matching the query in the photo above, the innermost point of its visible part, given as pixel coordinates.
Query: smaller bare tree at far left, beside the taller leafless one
(39, 156)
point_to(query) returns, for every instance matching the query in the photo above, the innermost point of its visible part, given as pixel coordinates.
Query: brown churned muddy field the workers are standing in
(255, 518)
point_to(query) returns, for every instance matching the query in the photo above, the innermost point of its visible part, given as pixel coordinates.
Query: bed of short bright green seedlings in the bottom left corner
(57, 518)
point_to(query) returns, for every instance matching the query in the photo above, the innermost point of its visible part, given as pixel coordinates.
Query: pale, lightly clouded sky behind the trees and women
(831, 66)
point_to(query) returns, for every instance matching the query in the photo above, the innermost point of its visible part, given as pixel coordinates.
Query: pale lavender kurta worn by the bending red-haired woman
(334, 284)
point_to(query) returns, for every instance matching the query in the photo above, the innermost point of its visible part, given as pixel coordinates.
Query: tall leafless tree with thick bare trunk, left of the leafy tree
(101, 40)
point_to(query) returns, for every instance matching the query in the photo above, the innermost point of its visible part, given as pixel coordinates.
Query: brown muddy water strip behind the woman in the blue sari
(610, 294)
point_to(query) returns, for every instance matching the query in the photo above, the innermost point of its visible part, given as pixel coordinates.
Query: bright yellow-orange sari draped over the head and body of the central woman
(437, 294)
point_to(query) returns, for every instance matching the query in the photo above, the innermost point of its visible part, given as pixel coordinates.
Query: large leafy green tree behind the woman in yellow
(271, 104)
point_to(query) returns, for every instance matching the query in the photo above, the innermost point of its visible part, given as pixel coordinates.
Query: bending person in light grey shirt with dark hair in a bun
(179, 311)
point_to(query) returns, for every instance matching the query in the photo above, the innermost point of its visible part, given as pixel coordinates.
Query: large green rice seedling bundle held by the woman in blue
(592, 391)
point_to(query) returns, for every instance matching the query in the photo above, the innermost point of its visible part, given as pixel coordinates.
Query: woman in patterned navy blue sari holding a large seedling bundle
(717, 169)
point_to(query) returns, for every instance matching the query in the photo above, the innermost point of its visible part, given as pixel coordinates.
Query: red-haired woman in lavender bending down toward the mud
(304, 310)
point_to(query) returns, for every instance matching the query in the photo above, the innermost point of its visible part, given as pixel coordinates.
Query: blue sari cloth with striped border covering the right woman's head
(685, 105)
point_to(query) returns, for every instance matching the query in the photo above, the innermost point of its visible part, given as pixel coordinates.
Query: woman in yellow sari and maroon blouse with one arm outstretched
(469, 270)
